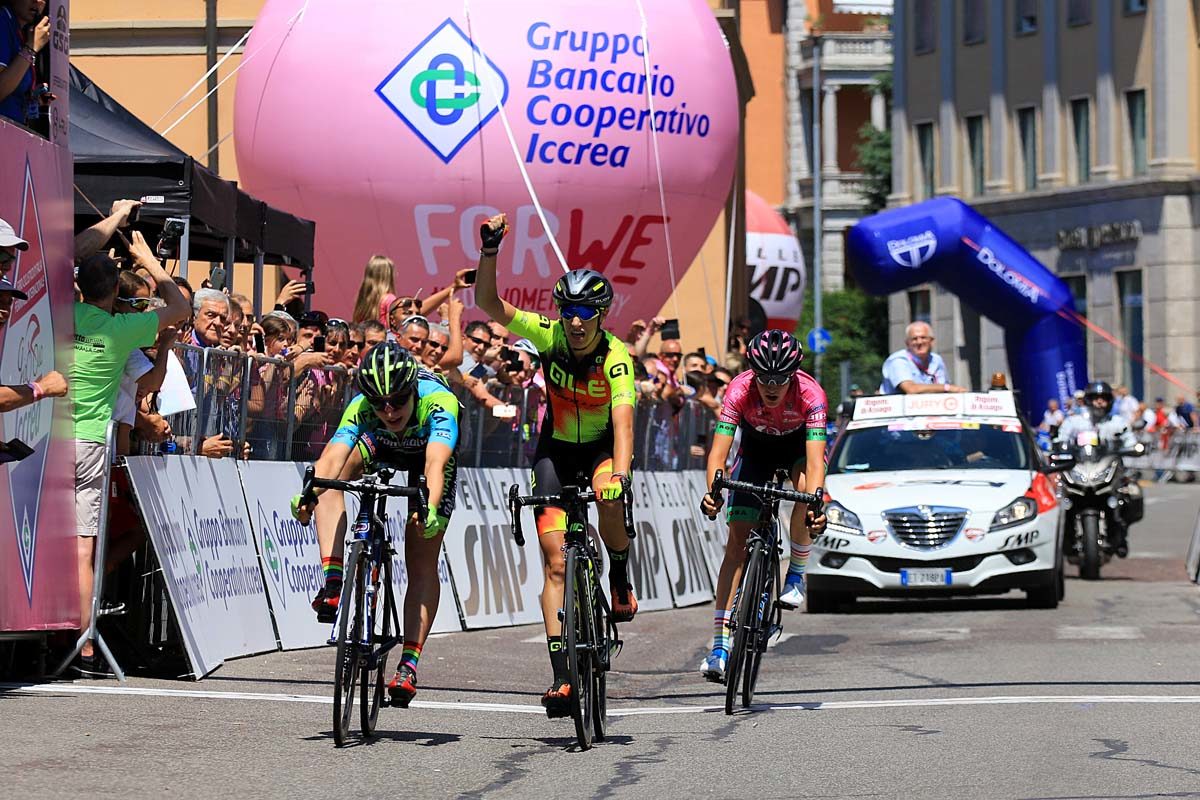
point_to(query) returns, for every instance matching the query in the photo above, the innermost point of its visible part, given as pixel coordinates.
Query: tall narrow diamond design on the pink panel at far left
(28, 354)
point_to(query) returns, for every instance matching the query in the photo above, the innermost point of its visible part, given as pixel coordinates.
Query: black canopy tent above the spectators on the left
(119, 157)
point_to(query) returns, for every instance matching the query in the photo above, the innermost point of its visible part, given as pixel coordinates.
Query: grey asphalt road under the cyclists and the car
(967, 699)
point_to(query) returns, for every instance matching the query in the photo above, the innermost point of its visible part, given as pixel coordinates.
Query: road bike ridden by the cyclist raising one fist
(590, 636)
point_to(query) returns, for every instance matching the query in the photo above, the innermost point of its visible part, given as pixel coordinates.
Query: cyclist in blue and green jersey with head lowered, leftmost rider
(406, 419)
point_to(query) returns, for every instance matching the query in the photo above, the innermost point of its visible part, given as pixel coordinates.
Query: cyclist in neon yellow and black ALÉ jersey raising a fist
(589, 429)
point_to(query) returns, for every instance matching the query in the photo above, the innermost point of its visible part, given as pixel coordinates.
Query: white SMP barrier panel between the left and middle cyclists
(499, 584)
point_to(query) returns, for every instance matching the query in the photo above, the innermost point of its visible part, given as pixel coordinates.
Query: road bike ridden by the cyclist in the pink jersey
(757, 615)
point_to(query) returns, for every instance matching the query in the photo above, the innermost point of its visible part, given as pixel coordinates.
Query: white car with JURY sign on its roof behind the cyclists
(933, 496)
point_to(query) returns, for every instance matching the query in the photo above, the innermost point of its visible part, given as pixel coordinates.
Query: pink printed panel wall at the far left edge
(38, 544)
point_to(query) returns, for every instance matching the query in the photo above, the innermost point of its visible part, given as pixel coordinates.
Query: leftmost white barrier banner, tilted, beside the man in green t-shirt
(196, 515)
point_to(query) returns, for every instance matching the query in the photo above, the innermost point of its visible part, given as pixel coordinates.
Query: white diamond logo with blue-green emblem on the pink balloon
(446, 91)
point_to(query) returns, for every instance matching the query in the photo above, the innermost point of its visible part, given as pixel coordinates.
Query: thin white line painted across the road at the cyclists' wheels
(512, 708)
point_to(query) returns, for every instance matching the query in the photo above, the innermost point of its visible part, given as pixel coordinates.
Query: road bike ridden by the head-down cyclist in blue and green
(363, 651)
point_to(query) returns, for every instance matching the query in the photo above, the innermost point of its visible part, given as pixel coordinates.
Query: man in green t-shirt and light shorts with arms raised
(103, 346)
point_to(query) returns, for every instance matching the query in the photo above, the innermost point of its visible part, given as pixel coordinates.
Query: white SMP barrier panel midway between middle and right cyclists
(680, 534)
